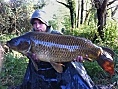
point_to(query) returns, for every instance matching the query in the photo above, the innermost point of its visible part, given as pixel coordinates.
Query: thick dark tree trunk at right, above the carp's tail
(101, 14)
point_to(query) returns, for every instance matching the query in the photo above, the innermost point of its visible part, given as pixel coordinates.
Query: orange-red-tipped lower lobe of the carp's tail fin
(106, 62)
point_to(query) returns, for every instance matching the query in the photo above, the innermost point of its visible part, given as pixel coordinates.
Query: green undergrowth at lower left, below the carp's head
(13, 69)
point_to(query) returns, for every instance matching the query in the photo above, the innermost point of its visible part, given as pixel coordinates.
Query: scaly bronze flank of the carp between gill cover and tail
(64, 48)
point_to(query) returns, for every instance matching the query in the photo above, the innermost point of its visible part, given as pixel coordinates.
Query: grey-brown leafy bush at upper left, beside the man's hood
(15, 17)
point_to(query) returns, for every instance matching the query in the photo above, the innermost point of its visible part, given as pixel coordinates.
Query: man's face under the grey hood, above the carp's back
(39, 26)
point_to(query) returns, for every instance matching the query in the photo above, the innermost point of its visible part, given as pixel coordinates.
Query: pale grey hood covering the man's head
(41, 15)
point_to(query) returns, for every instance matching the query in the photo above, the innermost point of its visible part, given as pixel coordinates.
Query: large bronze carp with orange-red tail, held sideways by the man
(56, 49)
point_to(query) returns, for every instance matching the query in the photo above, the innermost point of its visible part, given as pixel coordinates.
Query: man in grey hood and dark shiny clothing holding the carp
(74, 75)
